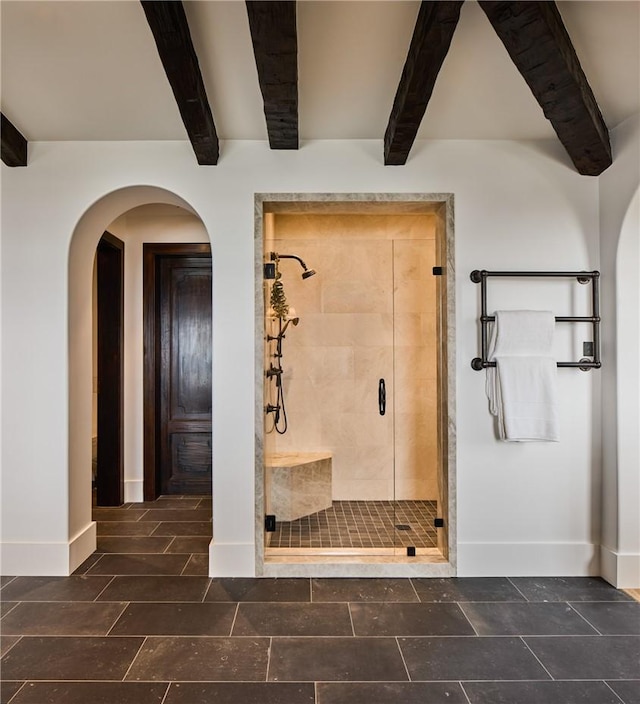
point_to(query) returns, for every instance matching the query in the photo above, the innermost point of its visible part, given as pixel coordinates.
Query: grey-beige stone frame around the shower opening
(350, 566)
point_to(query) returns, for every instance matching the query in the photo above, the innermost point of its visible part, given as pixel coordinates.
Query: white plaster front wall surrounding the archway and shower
(529, 508)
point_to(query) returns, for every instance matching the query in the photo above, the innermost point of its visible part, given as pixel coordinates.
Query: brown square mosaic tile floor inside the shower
(361, 524)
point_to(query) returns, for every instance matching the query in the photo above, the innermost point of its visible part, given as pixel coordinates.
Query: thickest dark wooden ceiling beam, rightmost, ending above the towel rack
(540, 47)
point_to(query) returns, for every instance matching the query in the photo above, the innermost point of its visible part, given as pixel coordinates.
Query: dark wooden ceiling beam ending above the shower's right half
(430, 43)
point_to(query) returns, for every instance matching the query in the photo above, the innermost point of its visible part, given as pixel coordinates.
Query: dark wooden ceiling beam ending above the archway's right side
(168, 23)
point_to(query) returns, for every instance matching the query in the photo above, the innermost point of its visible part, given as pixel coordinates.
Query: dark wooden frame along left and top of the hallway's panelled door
(152, 253)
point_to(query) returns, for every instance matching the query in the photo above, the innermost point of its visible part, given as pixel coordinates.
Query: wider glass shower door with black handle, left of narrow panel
(338, 385)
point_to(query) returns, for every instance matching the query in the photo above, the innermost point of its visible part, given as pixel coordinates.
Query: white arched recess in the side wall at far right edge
(628, 396)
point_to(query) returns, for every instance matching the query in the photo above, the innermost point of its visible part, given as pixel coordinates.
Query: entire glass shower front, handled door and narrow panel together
(355, 473)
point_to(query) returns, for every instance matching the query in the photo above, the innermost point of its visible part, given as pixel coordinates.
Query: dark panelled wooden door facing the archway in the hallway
(185, 330)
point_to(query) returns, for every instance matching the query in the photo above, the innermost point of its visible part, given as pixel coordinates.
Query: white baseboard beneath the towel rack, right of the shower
(528, 559)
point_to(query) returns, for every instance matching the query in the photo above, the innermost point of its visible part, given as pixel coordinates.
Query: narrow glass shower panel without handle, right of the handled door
(415, 371)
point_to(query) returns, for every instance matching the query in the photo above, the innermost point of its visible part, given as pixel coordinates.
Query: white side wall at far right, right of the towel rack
(620, 230)
